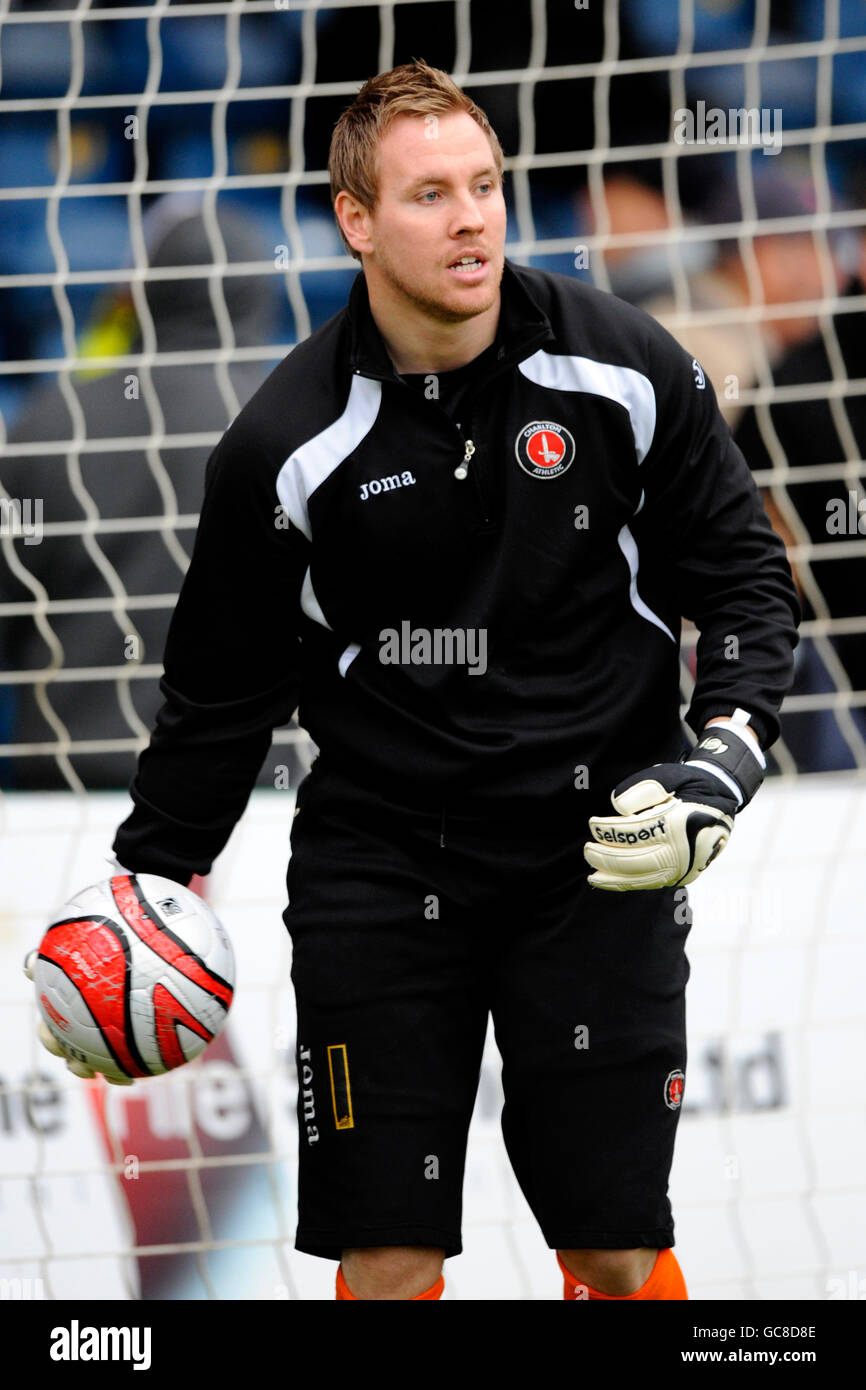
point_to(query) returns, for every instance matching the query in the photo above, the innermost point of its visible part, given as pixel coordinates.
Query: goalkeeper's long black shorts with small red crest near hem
(409, 929)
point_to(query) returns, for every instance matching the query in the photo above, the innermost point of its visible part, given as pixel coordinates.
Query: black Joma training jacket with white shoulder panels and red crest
(604, 500)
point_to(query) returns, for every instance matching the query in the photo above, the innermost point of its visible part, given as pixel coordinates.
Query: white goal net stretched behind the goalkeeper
(168, 238)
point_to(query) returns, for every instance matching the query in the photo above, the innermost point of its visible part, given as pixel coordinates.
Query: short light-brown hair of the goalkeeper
(411, 90)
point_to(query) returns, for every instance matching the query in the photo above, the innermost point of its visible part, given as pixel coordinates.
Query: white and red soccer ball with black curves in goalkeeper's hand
(134, 978)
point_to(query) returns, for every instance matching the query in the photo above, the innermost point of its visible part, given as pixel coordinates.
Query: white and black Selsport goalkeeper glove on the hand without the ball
(676, 818)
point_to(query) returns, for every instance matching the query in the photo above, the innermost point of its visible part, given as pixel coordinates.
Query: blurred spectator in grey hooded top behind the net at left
(122, 486)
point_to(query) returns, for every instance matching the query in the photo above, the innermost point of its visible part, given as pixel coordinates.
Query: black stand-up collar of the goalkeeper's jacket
(523, 327)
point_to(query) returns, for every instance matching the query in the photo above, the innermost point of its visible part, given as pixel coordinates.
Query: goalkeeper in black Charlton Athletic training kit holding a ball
(459, 526)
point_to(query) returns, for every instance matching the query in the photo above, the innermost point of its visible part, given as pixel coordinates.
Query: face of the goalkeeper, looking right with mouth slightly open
(440, 201)
